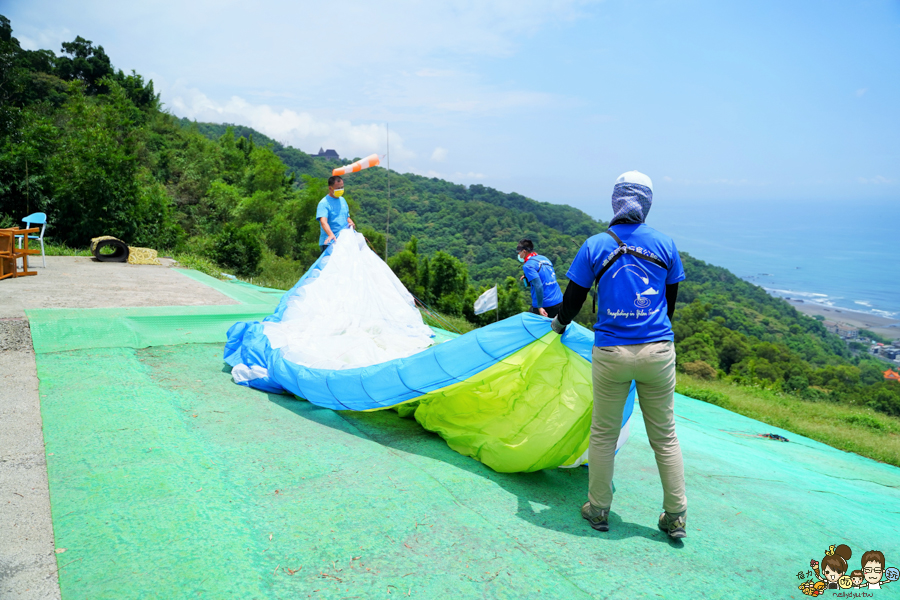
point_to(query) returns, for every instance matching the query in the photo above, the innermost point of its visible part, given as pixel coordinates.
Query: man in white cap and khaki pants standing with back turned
(636, 270)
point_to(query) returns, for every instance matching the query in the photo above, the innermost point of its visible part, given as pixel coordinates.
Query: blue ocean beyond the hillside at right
(840, 254)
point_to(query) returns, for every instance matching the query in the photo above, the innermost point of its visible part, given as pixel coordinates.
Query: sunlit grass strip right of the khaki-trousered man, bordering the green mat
(849, 428)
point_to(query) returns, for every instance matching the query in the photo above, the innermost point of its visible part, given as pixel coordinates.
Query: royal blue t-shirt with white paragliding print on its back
(631, 296)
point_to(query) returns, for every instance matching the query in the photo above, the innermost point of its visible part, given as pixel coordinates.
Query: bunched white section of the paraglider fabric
(355, 314)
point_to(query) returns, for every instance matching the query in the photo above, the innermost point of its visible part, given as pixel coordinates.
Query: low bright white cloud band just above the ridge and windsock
(300, 129)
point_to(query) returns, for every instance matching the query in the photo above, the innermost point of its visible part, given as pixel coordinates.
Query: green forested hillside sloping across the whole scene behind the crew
(90, 146)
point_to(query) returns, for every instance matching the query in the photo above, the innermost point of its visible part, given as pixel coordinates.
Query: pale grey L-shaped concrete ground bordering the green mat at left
(27, 554)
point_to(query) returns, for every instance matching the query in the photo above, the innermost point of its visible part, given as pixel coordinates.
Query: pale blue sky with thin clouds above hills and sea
(553, 99)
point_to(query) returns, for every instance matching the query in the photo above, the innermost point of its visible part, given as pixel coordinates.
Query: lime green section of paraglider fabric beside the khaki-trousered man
(546, 424)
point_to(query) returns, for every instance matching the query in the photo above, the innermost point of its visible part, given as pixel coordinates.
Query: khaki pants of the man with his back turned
(652, 366)
